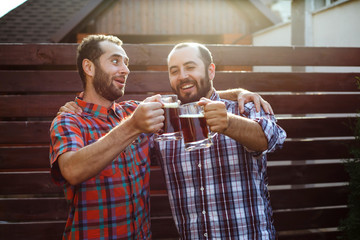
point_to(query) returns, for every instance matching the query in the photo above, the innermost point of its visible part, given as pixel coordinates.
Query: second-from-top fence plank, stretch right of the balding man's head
(286, 82)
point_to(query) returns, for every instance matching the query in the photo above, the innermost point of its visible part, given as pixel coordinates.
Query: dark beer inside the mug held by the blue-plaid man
(194, 127)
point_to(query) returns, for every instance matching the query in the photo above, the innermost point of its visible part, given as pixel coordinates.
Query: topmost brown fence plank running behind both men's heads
(155, 54)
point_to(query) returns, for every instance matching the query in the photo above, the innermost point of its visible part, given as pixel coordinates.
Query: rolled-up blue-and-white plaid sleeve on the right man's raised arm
(274, 133)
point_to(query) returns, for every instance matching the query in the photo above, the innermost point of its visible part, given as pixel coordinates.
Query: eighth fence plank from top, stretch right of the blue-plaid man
(309, 218)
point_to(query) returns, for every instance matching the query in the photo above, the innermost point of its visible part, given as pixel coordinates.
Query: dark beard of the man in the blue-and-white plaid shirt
(203, 87)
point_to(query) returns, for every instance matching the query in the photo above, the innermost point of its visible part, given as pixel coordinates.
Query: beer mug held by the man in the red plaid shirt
(171, 129)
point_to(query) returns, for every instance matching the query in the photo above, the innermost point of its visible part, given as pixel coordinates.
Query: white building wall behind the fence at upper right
(336, 26)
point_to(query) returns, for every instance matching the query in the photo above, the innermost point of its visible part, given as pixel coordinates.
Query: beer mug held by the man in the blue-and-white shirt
(196, 133)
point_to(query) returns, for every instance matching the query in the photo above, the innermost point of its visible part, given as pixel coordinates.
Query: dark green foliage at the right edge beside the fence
(350, 227)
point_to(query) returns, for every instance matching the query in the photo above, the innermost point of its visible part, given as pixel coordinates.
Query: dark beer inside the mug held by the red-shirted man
(171, 114)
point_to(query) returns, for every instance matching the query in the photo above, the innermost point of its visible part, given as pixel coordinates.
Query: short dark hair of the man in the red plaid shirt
(90, 49)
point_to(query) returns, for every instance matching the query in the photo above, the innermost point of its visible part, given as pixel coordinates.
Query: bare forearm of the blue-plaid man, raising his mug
(247, 132)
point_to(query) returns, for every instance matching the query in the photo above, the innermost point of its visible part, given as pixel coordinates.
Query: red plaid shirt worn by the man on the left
(115, 203)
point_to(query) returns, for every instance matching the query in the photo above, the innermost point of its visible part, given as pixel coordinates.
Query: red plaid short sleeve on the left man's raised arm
(65, 136)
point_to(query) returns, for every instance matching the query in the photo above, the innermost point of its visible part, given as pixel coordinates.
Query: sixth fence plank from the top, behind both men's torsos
(39, 182)
